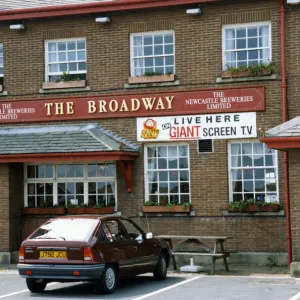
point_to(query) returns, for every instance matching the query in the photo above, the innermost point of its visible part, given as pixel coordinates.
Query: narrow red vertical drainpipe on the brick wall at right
(284, 119)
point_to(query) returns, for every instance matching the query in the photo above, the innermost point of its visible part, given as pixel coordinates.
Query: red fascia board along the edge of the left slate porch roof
(67, 157)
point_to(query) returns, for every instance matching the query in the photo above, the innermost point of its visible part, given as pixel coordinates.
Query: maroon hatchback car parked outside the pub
(99, 249)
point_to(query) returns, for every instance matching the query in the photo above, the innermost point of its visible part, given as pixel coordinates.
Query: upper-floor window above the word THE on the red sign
(65, 56)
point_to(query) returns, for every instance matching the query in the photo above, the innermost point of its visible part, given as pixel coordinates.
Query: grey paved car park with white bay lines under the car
(242, 283)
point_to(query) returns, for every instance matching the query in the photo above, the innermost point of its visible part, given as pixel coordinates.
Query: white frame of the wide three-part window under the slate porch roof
(55, 180)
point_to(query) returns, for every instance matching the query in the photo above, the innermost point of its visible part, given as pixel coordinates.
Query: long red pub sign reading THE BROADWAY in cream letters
(137, 105)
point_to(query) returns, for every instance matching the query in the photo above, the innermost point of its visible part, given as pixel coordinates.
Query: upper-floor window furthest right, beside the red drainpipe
(245, 45)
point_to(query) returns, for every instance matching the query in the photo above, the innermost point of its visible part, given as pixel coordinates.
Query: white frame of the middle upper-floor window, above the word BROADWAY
(149, 33)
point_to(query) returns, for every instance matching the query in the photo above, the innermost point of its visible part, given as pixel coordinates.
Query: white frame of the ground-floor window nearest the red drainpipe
(251, 167)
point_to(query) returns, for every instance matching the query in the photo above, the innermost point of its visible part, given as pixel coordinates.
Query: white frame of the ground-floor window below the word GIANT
(146, 179)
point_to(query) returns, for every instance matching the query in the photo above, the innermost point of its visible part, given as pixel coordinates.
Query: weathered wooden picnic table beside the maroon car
(202, 249)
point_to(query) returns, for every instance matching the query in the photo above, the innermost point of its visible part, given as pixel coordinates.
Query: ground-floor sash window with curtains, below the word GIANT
(167, 177)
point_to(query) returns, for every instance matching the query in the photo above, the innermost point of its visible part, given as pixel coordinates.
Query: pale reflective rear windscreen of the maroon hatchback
(66, 229)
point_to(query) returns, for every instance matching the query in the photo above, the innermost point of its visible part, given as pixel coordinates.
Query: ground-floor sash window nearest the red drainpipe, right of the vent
(253, 172)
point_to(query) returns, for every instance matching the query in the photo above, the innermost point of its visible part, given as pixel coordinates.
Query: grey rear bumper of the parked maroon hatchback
(62, 272)
